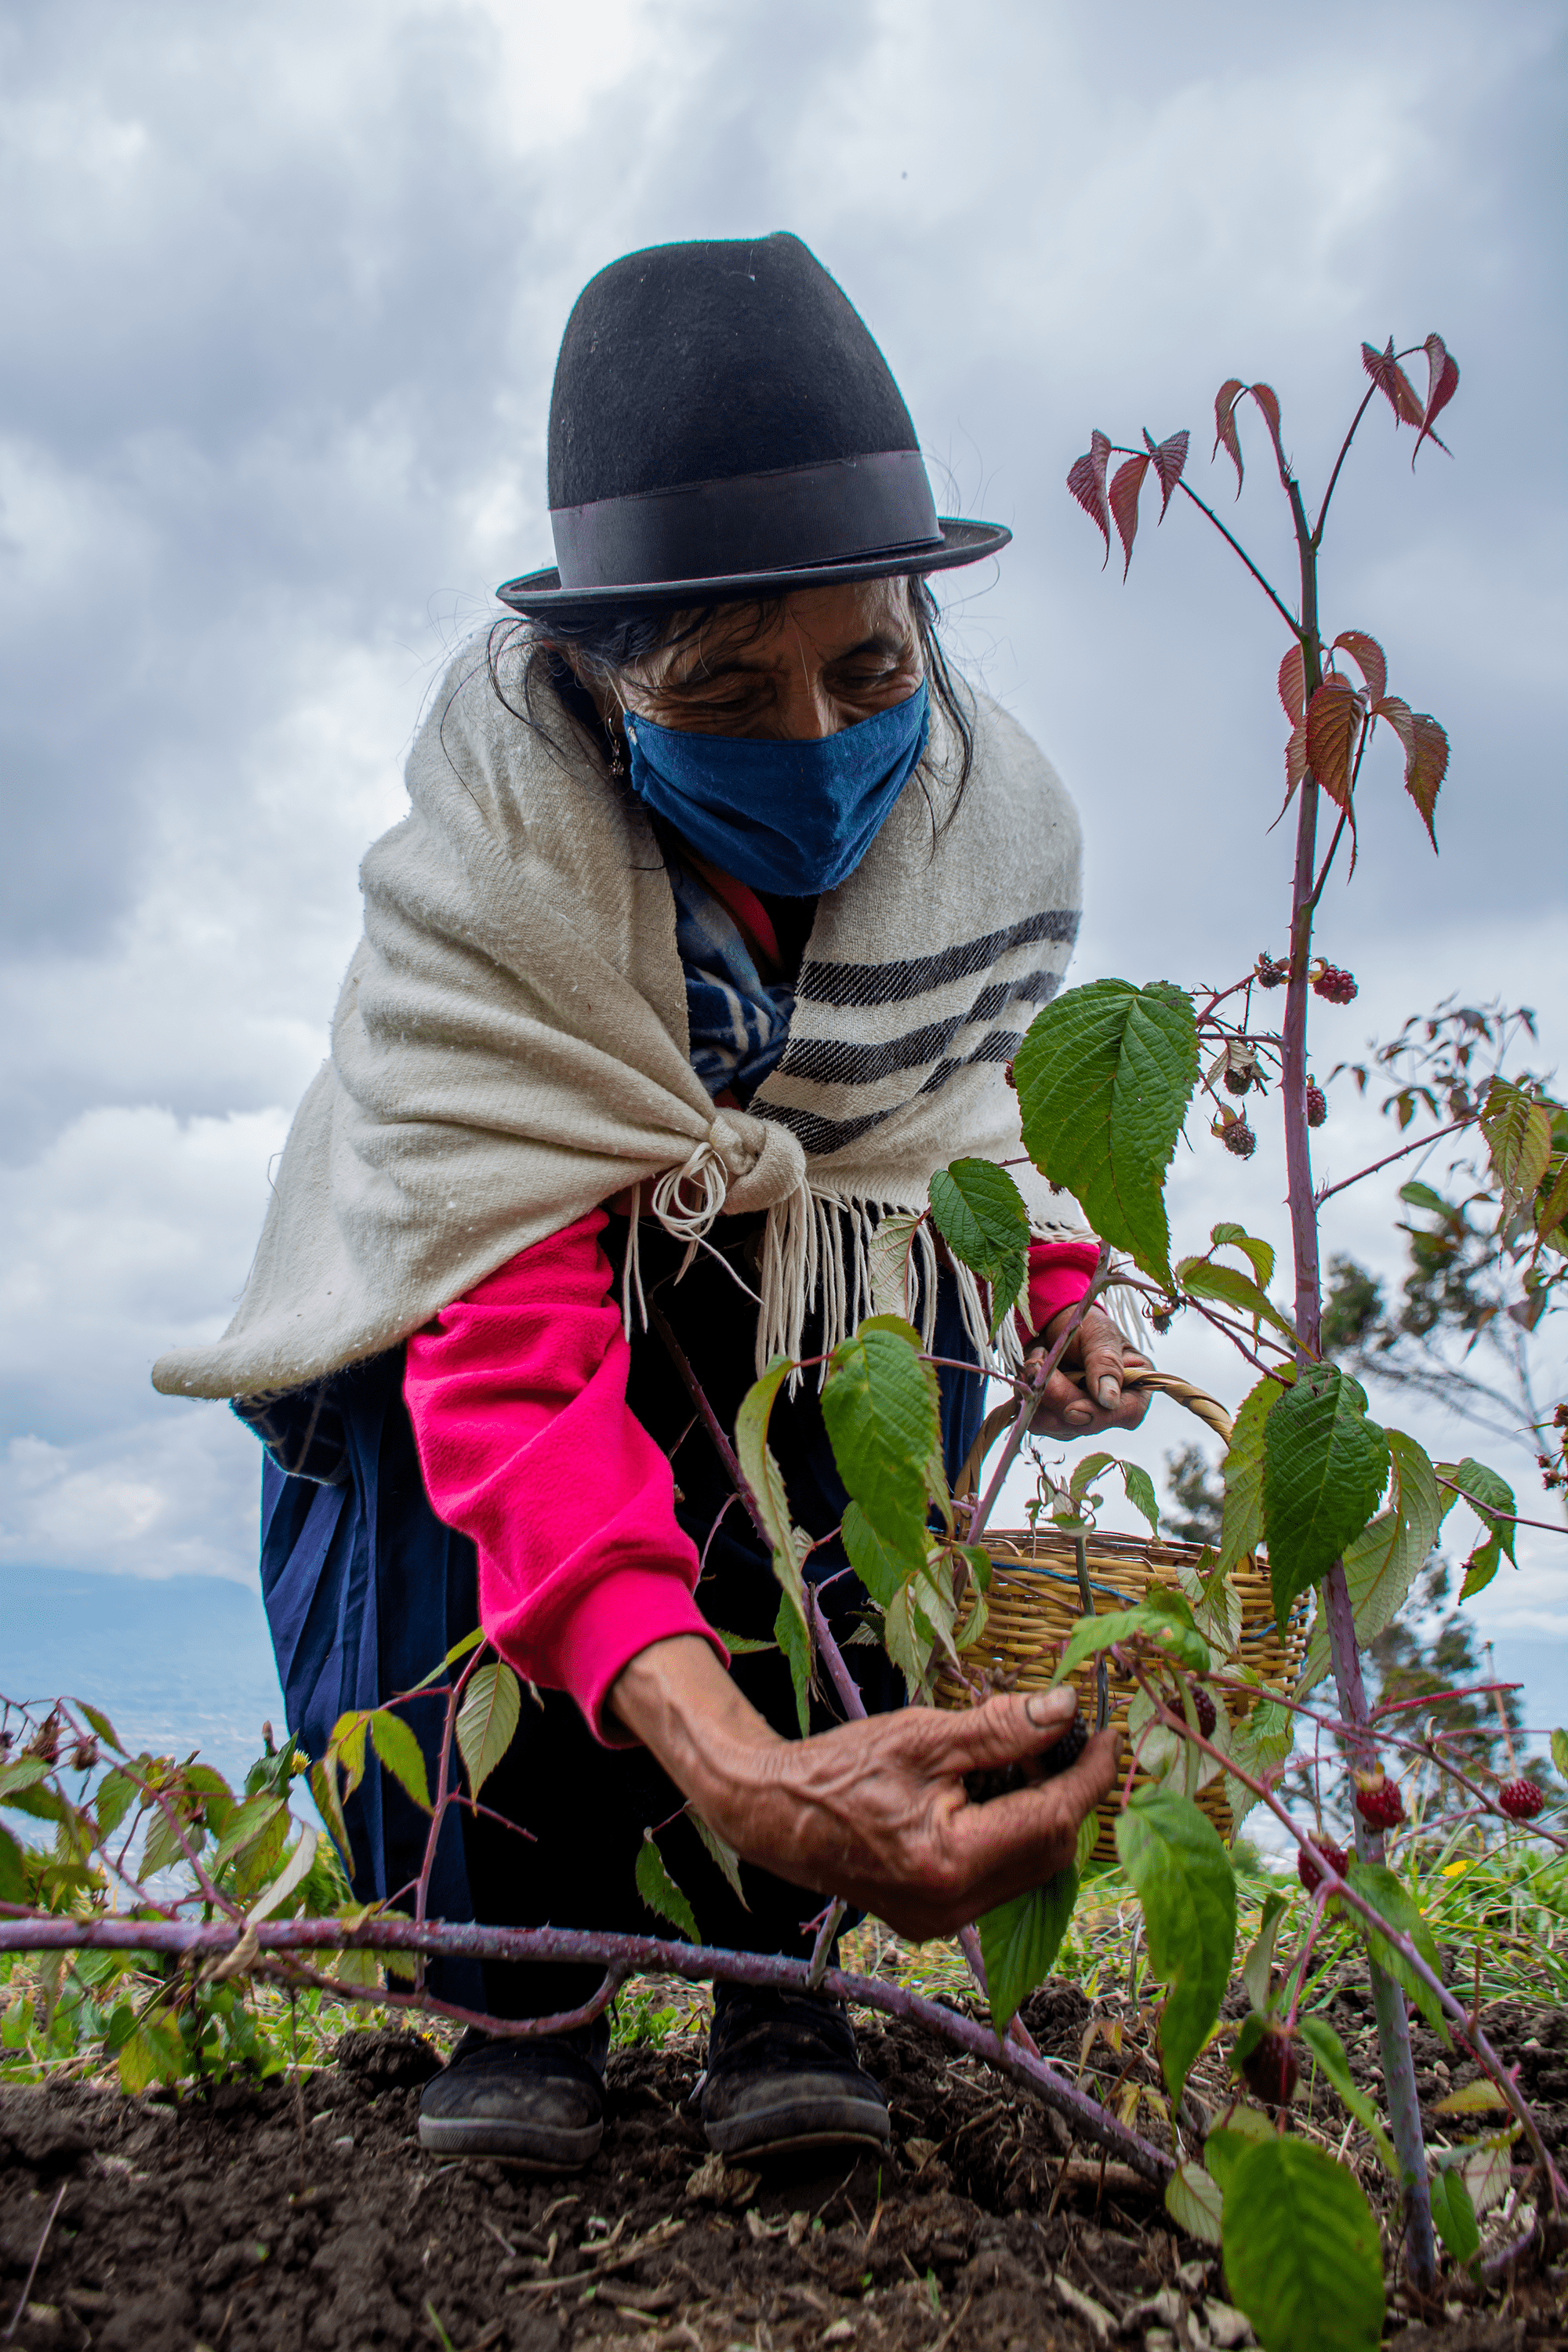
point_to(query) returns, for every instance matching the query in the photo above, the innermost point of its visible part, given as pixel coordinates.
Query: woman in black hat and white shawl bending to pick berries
(716, 921)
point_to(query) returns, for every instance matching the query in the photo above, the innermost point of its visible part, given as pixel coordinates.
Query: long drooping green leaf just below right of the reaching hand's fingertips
(1188, 1895)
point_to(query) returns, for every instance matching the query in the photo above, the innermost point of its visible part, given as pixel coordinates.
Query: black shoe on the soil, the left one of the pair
(532, 2102)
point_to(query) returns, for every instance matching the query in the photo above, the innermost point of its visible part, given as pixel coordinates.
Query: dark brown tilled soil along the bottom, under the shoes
(307, 2217)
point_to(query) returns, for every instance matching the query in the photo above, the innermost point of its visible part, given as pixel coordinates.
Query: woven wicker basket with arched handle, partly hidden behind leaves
(1036, 1603)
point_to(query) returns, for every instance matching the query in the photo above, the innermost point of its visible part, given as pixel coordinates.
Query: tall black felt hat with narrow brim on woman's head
(723, 425)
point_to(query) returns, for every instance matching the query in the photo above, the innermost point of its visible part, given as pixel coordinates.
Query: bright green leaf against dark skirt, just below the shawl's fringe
(883, 1417)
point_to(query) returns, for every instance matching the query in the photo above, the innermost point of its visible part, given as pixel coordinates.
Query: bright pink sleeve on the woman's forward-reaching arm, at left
(528, 1445)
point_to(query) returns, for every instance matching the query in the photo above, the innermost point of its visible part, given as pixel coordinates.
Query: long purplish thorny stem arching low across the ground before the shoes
(695, 1963)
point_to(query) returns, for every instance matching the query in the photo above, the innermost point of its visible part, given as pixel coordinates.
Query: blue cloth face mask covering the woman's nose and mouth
(784, 817)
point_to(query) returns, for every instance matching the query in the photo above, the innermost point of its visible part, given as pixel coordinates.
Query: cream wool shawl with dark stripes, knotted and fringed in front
(511, 1043)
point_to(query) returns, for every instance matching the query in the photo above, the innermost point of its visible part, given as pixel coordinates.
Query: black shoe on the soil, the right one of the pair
(782, 2073)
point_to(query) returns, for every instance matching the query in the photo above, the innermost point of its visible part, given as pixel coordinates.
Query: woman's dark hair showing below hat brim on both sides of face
(605, 641)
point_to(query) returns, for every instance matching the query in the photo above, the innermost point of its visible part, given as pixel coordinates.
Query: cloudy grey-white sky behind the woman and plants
(281, 328)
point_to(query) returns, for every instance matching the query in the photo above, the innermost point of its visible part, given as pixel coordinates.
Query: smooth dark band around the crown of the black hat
(791, 519)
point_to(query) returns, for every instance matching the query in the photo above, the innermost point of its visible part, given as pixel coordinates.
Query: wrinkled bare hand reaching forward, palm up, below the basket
(873, 1812)
